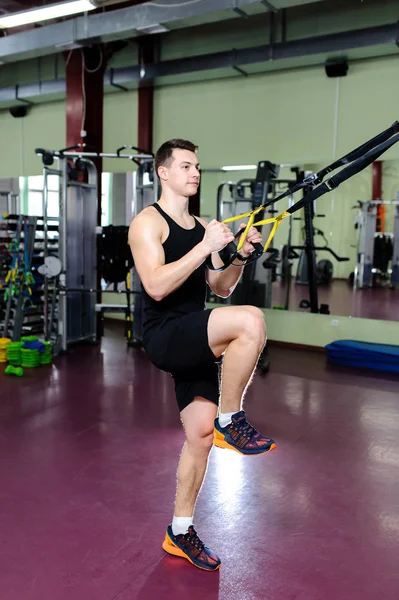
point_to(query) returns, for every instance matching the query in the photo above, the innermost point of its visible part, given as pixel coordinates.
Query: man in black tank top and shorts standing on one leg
(183, 338)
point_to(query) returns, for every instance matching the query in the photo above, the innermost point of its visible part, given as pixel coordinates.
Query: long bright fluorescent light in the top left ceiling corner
(52, 11)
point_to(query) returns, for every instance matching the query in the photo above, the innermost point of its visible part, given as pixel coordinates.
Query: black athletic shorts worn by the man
(180, 347)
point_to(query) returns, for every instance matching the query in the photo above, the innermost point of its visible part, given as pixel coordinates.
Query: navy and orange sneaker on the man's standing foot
(189, 546)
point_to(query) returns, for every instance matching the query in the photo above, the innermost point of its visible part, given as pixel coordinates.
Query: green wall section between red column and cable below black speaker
(237, 120)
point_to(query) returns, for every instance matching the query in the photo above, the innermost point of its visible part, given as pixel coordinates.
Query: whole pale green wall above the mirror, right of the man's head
(289, 115)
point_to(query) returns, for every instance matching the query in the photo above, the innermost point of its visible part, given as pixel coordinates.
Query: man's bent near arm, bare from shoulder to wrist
(158, 279)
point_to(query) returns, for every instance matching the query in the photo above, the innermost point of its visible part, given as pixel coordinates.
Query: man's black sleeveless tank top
(191, 295)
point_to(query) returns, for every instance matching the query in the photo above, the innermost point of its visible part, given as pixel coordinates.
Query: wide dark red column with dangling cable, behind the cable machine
(84, 103)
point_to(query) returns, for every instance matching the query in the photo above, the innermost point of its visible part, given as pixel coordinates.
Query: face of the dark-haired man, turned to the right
(182, 174)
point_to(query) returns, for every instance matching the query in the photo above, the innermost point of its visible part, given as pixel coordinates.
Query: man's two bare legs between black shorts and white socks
(240, 333)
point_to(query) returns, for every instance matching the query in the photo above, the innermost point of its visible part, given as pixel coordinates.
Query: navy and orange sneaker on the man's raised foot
(240, 436)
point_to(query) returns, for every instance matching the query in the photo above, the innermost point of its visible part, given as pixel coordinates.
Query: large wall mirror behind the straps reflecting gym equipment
(339, 256)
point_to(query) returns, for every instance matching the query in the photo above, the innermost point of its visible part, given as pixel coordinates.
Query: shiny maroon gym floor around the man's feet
(88, 454)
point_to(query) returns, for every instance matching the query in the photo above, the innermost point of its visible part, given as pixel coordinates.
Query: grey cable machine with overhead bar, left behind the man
(70, 282)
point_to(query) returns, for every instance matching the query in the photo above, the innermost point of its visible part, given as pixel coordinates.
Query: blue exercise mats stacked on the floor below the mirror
(380, 357)
